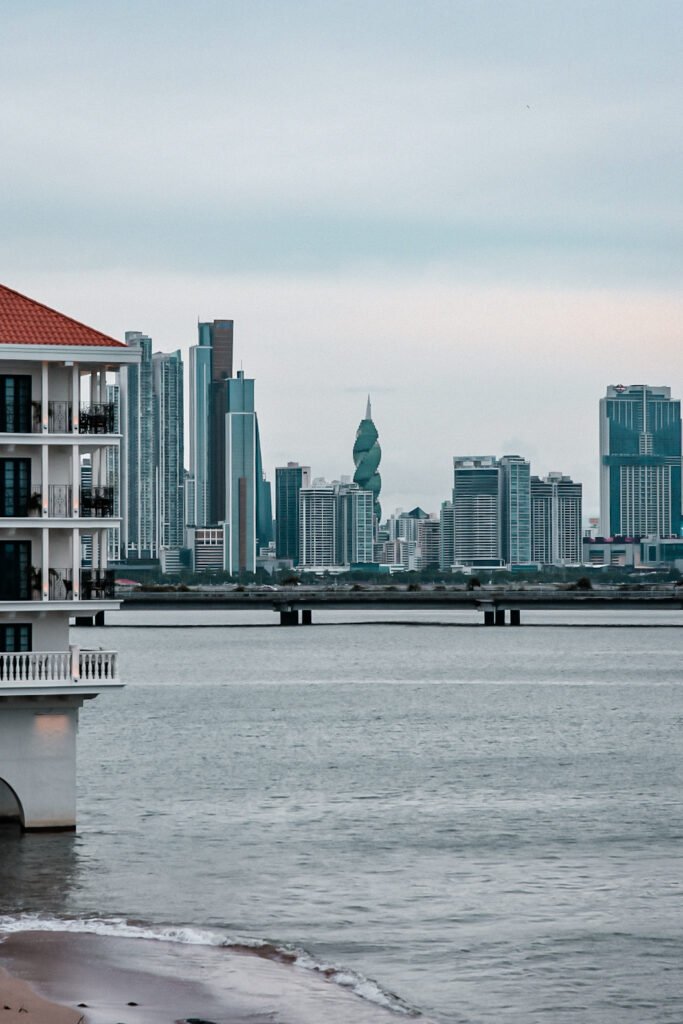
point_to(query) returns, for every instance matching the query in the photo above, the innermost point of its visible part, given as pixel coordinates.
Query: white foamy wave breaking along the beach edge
(365, 989)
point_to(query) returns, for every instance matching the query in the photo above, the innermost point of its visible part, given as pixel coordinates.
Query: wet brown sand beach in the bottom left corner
(96, 979)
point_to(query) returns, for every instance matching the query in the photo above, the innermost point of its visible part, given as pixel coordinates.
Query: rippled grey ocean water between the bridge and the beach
(474, 825)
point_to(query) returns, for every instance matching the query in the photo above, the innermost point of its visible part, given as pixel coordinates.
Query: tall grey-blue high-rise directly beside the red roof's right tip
(138, 396)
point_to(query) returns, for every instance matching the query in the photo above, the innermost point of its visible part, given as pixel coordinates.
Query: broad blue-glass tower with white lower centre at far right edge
(641, 462)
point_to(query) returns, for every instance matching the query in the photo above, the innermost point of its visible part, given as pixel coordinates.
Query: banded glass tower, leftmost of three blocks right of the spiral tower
(478, 511)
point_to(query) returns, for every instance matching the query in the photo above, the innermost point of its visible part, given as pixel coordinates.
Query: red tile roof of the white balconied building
(25, 322)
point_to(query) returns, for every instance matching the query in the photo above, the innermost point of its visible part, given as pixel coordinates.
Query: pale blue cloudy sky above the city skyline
(469, 209)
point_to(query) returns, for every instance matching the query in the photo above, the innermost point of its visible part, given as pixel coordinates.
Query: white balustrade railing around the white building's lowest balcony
(56, 668)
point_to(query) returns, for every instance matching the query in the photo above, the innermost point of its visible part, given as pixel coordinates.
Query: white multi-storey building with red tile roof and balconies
(54, 414)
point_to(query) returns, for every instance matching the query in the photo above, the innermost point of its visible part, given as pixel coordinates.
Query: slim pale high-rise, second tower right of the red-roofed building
(169, 449)
